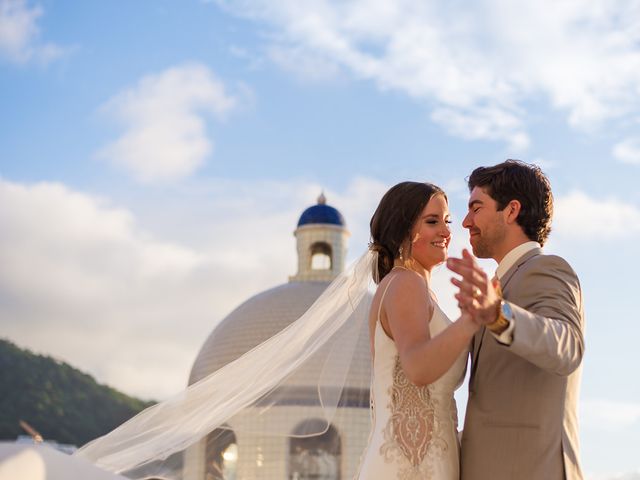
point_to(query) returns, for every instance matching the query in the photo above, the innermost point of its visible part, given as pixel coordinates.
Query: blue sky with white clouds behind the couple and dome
(155, 157)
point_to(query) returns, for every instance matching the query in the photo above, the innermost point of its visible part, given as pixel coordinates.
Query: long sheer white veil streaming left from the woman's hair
(308, 366)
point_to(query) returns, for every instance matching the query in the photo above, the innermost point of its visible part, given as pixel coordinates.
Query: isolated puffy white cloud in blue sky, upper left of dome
(165, 136)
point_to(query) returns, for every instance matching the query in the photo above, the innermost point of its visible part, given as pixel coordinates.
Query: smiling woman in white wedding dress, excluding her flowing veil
(419, 355)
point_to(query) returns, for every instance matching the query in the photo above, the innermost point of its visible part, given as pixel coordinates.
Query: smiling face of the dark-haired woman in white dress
(431, 235)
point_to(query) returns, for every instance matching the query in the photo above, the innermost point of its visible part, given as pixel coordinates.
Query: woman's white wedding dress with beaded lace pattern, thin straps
(414, 430)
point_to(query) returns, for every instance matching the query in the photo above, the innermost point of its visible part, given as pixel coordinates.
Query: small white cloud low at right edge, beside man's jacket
(608, 415)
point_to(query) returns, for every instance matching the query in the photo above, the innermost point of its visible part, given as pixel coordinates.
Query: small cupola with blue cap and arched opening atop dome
(322, 243)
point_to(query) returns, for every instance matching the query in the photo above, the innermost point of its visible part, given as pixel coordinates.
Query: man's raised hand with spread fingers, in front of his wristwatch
(477, 294)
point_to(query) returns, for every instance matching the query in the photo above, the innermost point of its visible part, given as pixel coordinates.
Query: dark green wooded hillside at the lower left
(60, 402)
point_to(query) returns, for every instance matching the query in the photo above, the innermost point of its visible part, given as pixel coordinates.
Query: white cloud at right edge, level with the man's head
(579, 216)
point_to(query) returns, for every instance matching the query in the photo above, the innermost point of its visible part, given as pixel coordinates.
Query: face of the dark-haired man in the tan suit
(486, 225)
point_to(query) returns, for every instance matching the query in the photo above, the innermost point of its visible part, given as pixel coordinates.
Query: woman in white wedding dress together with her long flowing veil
(419, 357)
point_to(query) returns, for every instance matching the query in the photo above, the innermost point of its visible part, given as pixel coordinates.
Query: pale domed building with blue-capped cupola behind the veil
(235, 453)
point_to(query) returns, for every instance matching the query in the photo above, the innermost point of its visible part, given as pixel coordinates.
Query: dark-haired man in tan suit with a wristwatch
(521, 420)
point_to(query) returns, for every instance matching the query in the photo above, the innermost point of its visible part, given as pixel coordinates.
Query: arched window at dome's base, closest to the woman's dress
(316, 457)
